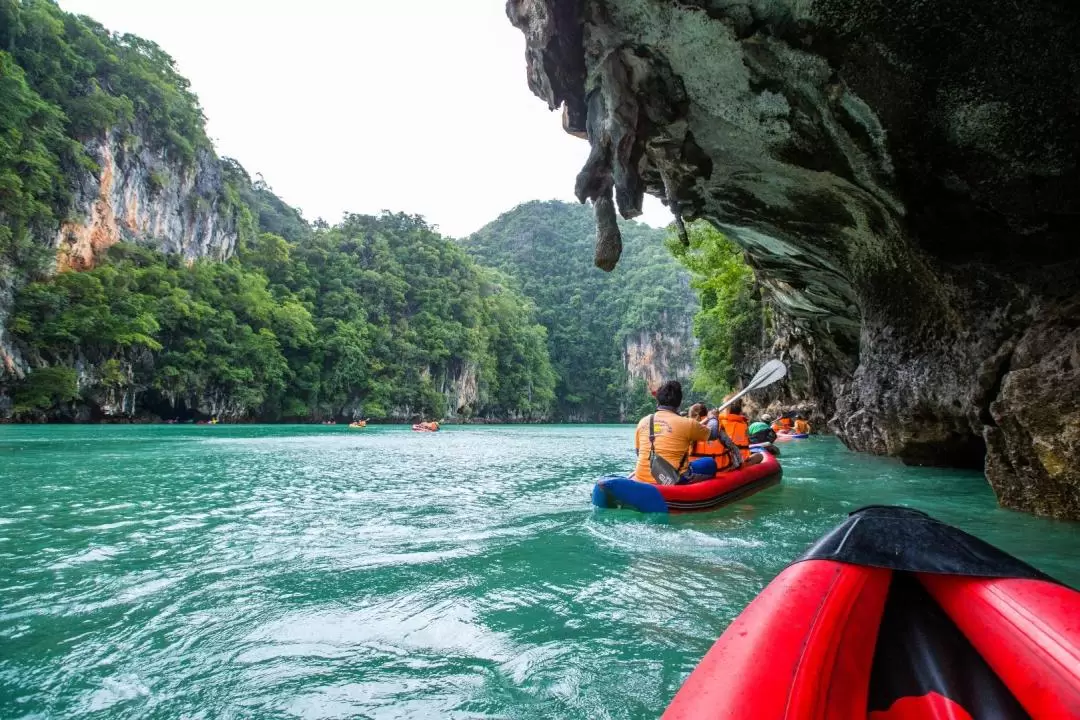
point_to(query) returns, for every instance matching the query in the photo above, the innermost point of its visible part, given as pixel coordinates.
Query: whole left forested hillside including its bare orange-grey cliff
(205, 295)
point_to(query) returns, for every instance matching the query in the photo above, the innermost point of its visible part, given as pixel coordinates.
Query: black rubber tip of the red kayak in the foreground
(911, 541)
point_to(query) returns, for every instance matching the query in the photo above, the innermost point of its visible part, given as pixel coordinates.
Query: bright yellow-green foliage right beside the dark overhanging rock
(728, 325)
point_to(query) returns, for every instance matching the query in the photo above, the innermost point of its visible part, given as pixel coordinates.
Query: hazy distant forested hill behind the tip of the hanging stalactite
(592, 317)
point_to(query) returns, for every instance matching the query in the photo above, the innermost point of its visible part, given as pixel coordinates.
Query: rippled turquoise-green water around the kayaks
(323, 573)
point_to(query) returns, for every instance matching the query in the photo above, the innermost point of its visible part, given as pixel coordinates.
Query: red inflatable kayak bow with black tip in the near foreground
(895, 616)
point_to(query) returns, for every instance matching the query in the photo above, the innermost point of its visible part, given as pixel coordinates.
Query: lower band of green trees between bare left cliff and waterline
(379, 317)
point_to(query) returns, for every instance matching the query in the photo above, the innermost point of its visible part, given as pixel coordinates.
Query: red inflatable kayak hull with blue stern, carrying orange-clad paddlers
(724, 490)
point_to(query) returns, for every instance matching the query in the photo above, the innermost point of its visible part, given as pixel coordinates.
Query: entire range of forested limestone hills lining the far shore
(145, 279)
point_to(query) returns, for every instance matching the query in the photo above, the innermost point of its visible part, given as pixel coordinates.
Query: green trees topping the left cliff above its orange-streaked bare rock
(64, 79)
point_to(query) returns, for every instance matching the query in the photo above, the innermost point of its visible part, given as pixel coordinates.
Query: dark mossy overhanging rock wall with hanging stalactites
(904, 176)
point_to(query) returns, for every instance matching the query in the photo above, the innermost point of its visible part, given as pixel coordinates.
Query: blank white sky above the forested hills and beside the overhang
(420, 106)
